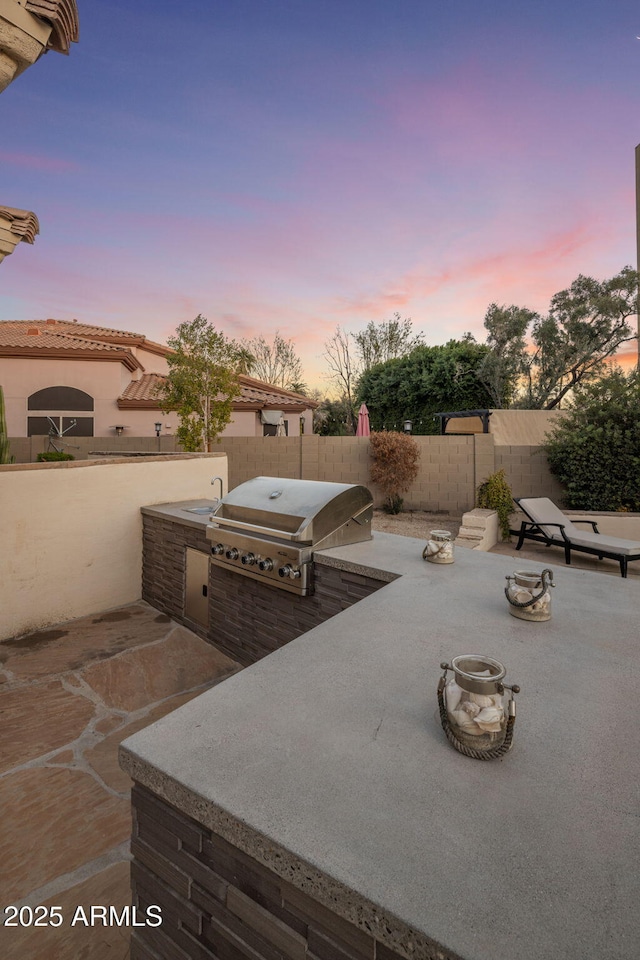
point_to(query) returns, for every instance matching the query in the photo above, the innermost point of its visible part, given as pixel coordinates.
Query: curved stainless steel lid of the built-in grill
(301, 511)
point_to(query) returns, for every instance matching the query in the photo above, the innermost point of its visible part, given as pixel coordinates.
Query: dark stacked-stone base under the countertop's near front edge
(218, 903)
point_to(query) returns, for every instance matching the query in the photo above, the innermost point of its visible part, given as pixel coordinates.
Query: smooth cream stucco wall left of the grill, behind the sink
(72, 532)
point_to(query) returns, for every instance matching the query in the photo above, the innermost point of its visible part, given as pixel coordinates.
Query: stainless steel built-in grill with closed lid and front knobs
(269, 527)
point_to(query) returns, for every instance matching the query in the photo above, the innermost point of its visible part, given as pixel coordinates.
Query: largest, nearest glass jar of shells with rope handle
(473, 712)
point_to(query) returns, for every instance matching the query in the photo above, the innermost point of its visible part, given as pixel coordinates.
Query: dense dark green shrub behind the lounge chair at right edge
(594, 451)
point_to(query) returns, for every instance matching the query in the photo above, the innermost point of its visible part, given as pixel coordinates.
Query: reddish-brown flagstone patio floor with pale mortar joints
(68, 696)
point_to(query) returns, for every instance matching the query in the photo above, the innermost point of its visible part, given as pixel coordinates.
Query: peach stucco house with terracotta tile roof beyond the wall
(95, 381)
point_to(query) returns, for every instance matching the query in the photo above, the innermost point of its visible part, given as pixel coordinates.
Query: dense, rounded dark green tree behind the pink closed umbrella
(429, 380)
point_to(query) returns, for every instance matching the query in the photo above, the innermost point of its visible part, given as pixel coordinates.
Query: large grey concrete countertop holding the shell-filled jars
(326, 763)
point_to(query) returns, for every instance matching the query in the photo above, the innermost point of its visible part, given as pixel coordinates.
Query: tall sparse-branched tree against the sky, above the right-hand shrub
(585, 325)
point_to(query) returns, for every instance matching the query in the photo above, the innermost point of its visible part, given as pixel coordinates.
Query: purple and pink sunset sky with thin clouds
(298, 164)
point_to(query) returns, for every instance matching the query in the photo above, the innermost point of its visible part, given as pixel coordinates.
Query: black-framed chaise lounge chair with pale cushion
(547, 524)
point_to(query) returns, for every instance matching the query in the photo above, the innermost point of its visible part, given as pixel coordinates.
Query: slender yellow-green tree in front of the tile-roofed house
(201, 384)
